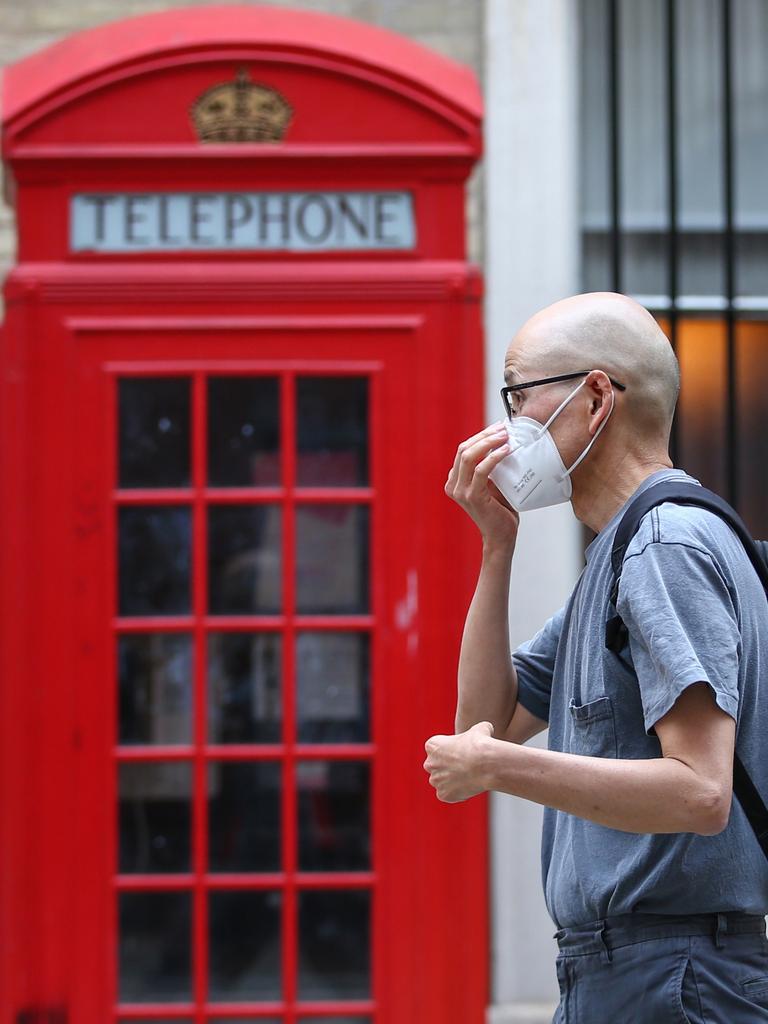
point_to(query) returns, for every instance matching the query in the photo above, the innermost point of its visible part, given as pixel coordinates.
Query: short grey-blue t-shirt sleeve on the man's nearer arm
(682, 626)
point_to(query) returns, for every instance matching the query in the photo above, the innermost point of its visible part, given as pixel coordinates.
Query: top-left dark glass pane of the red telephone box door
(154, 433)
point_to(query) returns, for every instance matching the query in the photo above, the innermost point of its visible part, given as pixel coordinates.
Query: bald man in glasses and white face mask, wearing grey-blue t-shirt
(652, 873)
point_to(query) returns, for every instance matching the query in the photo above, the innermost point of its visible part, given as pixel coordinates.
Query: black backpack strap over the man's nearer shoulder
(616, 632)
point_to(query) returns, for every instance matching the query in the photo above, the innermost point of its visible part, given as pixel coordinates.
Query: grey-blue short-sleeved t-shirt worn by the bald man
(696, 611)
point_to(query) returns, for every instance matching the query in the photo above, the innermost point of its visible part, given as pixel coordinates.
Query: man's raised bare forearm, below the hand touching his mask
(488, 684)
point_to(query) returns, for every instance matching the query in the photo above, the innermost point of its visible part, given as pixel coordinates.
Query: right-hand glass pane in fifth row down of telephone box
(334, 945)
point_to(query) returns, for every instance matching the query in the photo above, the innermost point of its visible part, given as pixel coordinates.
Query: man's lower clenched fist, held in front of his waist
(457, 764)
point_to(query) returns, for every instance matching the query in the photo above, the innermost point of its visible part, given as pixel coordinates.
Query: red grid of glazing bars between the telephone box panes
(198, 624)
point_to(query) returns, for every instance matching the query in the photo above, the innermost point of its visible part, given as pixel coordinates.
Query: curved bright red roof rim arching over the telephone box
(80, 64)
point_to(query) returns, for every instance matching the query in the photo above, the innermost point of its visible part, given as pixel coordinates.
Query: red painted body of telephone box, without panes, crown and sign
(75, 323)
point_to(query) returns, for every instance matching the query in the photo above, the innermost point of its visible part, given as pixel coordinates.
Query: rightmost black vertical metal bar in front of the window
(729, 254)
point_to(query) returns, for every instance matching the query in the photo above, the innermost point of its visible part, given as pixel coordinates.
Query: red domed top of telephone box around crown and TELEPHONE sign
(110, 110)
